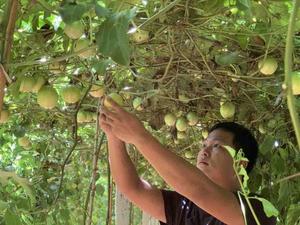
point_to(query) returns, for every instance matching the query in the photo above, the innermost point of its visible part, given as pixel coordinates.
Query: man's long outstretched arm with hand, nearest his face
(185, 178)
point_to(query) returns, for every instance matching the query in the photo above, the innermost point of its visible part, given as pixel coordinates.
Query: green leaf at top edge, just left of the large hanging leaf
(72, 12)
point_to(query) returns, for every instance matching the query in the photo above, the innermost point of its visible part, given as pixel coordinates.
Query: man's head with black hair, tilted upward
(215, 161)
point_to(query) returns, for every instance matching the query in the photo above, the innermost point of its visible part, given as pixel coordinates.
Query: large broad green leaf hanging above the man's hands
(112, 38)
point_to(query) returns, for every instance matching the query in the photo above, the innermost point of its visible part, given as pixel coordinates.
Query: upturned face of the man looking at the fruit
(214, 160)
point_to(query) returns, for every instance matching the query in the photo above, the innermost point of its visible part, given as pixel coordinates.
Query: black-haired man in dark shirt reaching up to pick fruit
(203, 194)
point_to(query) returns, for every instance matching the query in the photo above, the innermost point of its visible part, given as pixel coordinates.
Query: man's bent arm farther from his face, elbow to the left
(124, 173)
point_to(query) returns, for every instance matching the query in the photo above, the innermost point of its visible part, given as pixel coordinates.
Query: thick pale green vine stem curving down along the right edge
(288, 69)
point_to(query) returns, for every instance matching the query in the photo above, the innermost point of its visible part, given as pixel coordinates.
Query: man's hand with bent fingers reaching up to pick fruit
(120, 123)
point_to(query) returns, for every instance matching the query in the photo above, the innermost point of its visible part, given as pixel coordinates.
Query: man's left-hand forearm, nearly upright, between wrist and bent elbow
(122, 168)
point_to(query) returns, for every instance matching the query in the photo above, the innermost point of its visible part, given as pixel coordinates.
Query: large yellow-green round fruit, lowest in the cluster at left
(47, 97)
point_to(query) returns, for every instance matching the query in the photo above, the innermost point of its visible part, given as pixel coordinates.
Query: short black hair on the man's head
(242, 139)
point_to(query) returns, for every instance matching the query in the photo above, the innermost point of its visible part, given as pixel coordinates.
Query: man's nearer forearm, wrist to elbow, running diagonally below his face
(174, 170)
